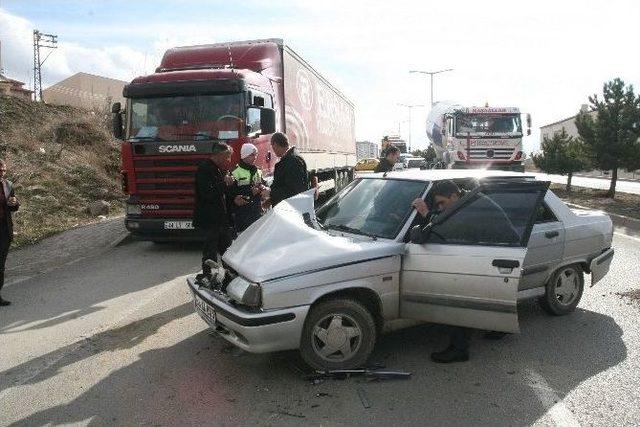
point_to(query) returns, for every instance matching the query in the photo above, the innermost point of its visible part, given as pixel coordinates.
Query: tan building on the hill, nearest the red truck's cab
(87, 91)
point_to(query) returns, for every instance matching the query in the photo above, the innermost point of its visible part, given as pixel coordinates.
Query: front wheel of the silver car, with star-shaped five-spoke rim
(338, 334)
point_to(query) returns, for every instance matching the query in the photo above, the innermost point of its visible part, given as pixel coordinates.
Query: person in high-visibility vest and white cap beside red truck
(247, 201)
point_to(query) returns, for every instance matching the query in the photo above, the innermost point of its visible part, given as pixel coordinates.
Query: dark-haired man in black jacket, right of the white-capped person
(290, 176)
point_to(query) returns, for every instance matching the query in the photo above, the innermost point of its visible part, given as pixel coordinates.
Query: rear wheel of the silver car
(563, 291)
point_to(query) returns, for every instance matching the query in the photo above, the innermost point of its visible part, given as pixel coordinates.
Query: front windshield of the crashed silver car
(376, 207)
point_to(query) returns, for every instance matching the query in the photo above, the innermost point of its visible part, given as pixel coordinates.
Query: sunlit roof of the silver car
(441, 174)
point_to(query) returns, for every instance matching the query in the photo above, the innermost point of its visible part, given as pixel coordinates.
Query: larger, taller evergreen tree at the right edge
(612, 138)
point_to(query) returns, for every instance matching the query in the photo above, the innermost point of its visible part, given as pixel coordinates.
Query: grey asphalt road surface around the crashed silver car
(113, 340)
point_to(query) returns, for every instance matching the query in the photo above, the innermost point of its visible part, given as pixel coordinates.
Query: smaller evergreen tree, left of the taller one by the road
(562, 154)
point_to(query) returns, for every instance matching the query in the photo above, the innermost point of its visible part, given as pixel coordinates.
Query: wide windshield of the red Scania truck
(187, 117)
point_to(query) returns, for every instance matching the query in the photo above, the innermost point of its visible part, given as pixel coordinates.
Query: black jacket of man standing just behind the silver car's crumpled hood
(290, 177)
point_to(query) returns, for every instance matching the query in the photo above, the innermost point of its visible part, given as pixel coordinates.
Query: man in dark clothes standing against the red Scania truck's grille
(211, 213)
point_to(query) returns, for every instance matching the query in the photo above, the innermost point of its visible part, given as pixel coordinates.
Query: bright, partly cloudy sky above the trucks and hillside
(545, 57)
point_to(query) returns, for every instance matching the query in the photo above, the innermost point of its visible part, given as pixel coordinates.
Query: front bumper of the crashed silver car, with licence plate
(255, 332)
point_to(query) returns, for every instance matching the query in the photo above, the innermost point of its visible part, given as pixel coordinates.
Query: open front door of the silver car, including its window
(465, 267)
